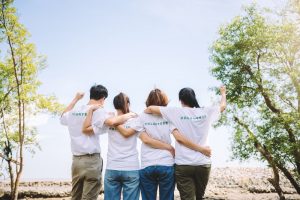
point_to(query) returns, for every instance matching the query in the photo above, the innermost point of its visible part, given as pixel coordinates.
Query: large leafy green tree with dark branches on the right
(257, 57)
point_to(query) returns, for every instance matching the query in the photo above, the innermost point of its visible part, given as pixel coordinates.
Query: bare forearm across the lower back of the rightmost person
(189, 144)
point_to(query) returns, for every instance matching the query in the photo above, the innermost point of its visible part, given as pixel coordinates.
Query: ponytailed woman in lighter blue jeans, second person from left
(122, 169)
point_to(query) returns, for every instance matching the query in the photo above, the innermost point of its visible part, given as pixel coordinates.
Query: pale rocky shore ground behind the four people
(225, 183)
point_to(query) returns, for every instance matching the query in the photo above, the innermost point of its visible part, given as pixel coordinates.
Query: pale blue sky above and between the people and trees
(129, 46)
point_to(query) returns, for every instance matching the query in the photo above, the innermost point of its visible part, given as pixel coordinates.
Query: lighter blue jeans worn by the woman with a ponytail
(115, 180)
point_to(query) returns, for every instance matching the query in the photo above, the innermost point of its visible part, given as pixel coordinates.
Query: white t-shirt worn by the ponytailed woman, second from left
(122, 152)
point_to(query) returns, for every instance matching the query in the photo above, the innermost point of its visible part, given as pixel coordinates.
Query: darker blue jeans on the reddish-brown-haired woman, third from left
(153, 176)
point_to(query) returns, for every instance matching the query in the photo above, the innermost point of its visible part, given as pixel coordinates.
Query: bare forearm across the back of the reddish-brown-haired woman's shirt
(156, 144)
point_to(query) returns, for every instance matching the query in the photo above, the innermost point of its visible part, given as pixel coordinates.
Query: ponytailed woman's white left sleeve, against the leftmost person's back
(98, 120)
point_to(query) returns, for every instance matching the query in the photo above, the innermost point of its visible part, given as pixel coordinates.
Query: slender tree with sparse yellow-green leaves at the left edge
(19, 97)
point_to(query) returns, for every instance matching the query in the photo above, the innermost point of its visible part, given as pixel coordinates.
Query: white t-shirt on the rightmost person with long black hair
(194, 124)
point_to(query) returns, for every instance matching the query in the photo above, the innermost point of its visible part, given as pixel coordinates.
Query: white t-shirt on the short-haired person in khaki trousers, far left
(81, 143)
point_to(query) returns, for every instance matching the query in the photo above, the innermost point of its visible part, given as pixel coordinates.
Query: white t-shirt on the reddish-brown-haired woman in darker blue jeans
(159, 129)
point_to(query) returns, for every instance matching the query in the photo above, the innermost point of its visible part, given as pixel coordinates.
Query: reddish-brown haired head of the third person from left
(157, 98)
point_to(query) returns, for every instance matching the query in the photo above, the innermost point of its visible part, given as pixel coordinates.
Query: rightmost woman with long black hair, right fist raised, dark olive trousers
(192, 169)
